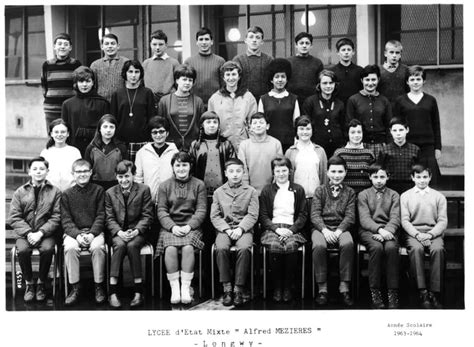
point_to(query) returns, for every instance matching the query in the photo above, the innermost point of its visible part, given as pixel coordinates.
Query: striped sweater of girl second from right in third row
(358, 161)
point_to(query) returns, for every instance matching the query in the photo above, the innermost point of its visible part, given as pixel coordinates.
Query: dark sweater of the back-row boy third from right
(304, 76)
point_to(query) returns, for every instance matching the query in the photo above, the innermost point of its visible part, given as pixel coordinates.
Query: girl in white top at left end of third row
(60, 155)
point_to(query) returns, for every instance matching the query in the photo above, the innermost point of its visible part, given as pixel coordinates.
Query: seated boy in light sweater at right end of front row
(424, 219)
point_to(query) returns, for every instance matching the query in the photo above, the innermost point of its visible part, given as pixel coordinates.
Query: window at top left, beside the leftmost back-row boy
(25, 47)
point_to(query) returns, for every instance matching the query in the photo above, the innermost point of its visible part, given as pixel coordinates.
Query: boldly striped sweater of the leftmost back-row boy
(56, 81)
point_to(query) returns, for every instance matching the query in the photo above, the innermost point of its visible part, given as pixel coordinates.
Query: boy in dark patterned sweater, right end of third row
(399, 156)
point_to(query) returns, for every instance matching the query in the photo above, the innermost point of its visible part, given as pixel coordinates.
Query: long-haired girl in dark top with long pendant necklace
(133, 105)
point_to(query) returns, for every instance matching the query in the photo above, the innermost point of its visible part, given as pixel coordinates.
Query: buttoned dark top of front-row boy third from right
(333, 212)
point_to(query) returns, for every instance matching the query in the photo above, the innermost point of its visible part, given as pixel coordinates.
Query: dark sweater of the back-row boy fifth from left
(253, 75)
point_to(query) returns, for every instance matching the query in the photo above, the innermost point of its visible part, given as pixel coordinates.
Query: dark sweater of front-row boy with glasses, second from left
(83, 207)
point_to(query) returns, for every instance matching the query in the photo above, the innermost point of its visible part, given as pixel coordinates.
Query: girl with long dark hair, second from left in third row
(105, 152)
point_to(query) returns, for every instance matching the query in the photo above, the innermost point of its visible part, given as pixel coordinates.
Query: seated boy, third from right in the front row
(333, 216)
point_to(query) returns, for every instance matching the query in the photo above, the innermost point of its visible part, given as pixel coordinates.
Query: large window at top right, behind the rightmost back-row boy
(430, 34)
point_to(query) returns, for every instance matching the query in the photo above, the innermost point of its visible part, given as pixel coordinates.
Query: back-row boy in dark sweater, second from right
(346, 71)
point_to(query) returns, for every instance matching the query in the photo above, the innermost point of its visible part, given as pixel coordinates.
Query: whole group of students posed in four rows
(215, 163)
